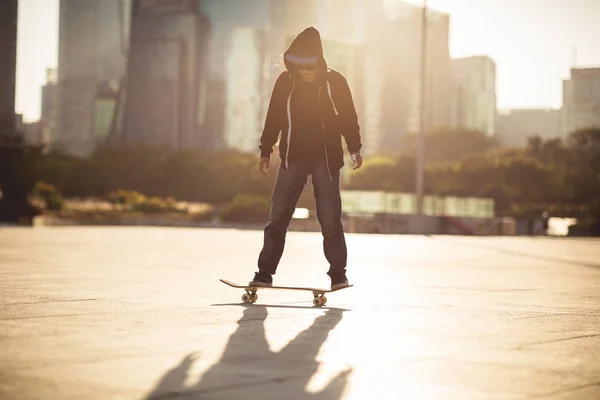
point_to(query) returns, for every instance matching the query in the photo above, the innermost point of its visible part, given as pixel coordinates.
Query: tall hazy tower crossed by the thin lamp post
(392, 75)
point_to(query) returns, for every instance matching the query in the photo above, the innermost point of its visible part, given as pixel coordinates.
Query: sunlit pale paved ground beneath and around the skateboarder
(138, 313)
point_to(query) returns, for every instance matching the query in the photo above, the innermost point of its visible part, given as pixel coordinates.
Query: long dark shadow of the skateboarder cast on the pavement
(248, 367)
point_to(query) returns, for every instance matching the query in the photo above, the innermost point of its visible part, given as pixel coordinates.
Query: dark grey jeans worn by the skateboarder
(287, 190)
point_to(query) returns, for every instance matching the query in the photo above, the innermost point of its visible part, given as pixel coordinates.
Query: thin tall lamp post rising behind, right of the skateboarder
(422, 105)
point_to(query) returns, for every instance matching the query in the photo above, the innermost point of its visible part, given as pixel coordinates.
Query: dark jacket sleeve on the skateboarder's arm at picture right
(347, 115)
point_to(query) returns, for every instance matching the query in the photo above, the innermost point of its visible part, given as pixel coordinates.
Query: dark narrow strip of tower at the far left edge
(8, 60)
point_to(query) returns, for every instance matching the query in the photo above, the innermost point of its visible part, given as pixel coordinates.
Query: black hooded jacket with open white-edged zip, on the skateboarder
(338, 114)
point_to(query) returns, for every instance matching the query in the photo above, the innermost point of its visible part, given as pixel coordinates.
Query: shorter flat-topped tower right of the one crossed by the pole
(473, 104)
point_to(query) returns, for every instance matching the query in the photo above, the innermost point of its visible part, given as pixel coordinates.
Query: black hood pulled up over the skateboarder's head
(307, 47)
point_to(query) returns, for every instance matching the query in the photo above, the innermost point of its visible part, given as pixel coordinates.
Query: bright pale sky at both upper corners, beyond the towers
(532, 42)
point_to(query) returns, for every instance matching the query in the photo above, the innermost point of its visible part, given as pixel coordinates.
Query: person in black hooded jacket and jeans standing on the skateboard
(312, 107)
